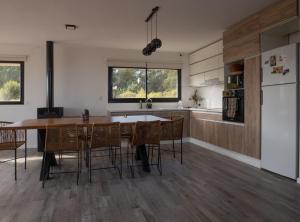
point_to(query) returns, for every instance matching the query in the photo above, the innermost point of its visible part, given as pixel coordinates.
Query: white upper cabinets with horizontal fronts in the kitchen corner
(207, 66)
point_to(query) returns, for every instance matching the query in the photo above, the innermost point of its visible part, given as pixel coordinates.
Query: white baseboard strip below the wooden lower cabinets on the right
(234, 155)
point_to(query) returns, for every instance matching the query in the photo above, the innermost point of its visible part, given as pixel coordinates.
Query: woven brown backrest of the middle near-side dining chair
(105, 135)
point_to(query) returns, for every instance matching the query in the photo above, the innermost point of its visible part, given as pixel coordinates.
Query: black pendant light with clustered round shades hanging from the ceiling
(156, 42)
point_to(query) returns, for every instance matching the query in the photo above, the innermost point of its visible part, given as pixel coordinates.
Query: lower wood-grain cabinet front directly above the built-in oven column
(246, 47)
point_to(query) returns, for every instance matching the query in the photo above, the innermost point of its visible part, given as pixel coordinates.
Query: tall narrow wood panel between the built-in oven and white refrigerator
(252, 81)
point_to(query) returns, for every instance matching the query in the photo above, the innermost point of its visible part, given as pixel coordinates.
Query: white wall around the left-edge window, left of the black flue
(34, 83)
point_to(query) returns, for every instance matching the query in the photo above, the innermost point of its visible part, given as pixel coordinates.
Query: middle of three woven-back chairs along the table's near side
(106, 138)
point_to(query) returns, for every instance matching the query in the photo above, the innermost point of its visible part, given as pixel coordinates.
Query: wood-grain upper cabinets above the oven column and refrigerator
(242, 40)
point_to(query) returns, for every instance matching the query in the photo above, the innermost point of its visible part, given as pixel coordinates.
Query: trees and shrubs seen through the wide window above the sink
(131, 83)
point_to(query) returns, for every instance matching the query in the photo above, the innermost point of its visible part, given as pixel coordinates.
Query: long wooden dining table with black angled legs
(31, 124)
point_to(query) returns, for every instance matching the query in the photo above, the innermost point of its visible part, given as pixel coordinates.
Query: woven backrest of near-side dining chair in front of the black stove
(64, 137)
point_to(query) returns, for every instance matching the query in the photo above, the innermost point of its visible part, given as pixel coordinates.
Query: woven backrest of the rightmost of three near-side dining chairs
(148, 132)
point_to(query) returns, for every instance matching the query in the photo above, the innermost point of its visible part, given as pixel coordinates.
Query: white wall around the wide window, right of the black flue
(81, 78)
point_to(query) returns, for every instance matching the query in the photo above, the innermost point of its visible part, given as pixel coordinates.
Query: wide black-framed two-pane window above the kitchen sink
(135, 84)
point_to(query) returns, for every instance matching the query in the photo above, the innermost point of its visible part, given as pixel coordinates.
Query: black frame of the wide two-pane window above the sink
(136, 100)
